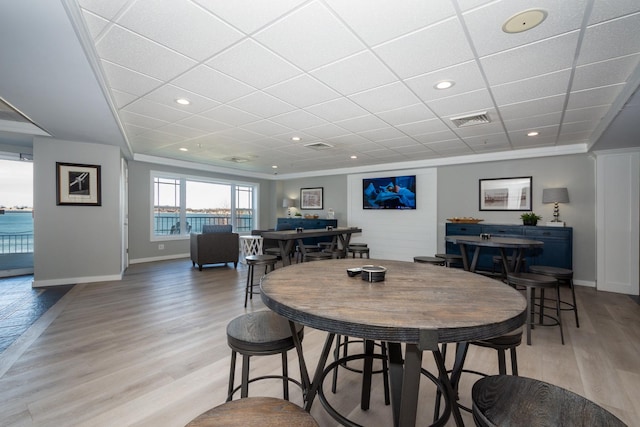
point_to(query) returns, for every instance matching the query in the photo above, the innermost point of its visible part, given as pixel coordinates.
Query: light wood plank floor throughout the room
(151, 350)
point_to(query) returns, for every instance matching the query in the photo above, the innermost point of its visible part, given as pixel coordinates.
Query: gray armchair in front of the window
(215, 245)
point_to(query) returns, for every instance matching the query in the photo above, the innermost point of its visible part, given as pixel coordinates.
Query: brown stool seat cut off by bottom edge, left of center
(255, 412)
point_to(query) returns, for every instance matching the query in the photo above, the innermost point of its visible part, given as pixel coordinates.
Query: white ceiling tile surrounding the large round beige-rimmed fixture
(485, 23)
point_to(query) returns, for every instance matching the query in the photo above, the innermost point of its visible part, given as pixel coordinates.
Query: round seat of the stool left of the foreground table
(261, 331)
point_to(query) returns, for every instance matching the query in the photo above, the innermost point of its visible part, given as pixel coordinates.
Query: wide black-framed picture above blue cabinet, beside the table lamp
(505, 194)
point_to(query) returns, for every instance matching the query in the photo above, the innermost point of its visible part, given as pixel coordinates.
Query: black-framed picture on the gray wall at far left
(78, 185)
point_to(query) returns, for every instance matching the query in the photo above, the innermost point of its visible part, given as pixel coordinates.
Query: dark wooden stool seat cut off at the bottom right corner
(518, 401)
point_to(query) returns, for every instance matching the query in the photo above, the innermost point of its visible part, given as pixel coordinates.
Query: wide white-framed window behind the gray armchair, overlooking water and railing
(182, 205)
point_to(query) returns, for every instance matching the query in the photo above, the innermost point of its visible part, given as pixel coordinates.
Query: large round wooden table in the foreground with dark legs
(419, 305)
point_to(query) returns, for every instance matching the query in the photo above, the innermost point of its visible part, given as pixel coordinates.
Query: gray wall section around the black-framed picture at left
(75, 244)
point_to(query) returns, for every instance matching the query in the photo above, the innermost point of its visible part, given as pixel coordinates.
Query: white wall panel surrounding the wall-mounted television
(397, 234)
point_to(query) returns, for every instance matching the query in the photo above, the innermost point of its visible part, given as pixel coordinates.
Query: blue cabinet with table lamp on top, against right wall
(557, 250)
